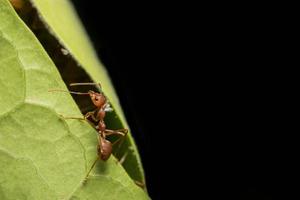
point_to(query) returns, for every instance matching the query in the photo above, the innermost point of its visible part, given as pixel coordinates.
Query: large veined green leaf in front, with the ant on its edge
(43, 156)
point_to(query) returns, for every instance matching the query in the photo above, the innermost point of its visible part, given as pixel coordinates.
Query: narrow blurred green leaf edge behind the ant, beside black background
(66, 27)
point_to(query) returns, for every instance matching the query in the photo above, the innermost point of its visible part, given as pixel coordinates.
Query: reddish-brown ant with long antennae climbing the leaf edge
(104, 147)
